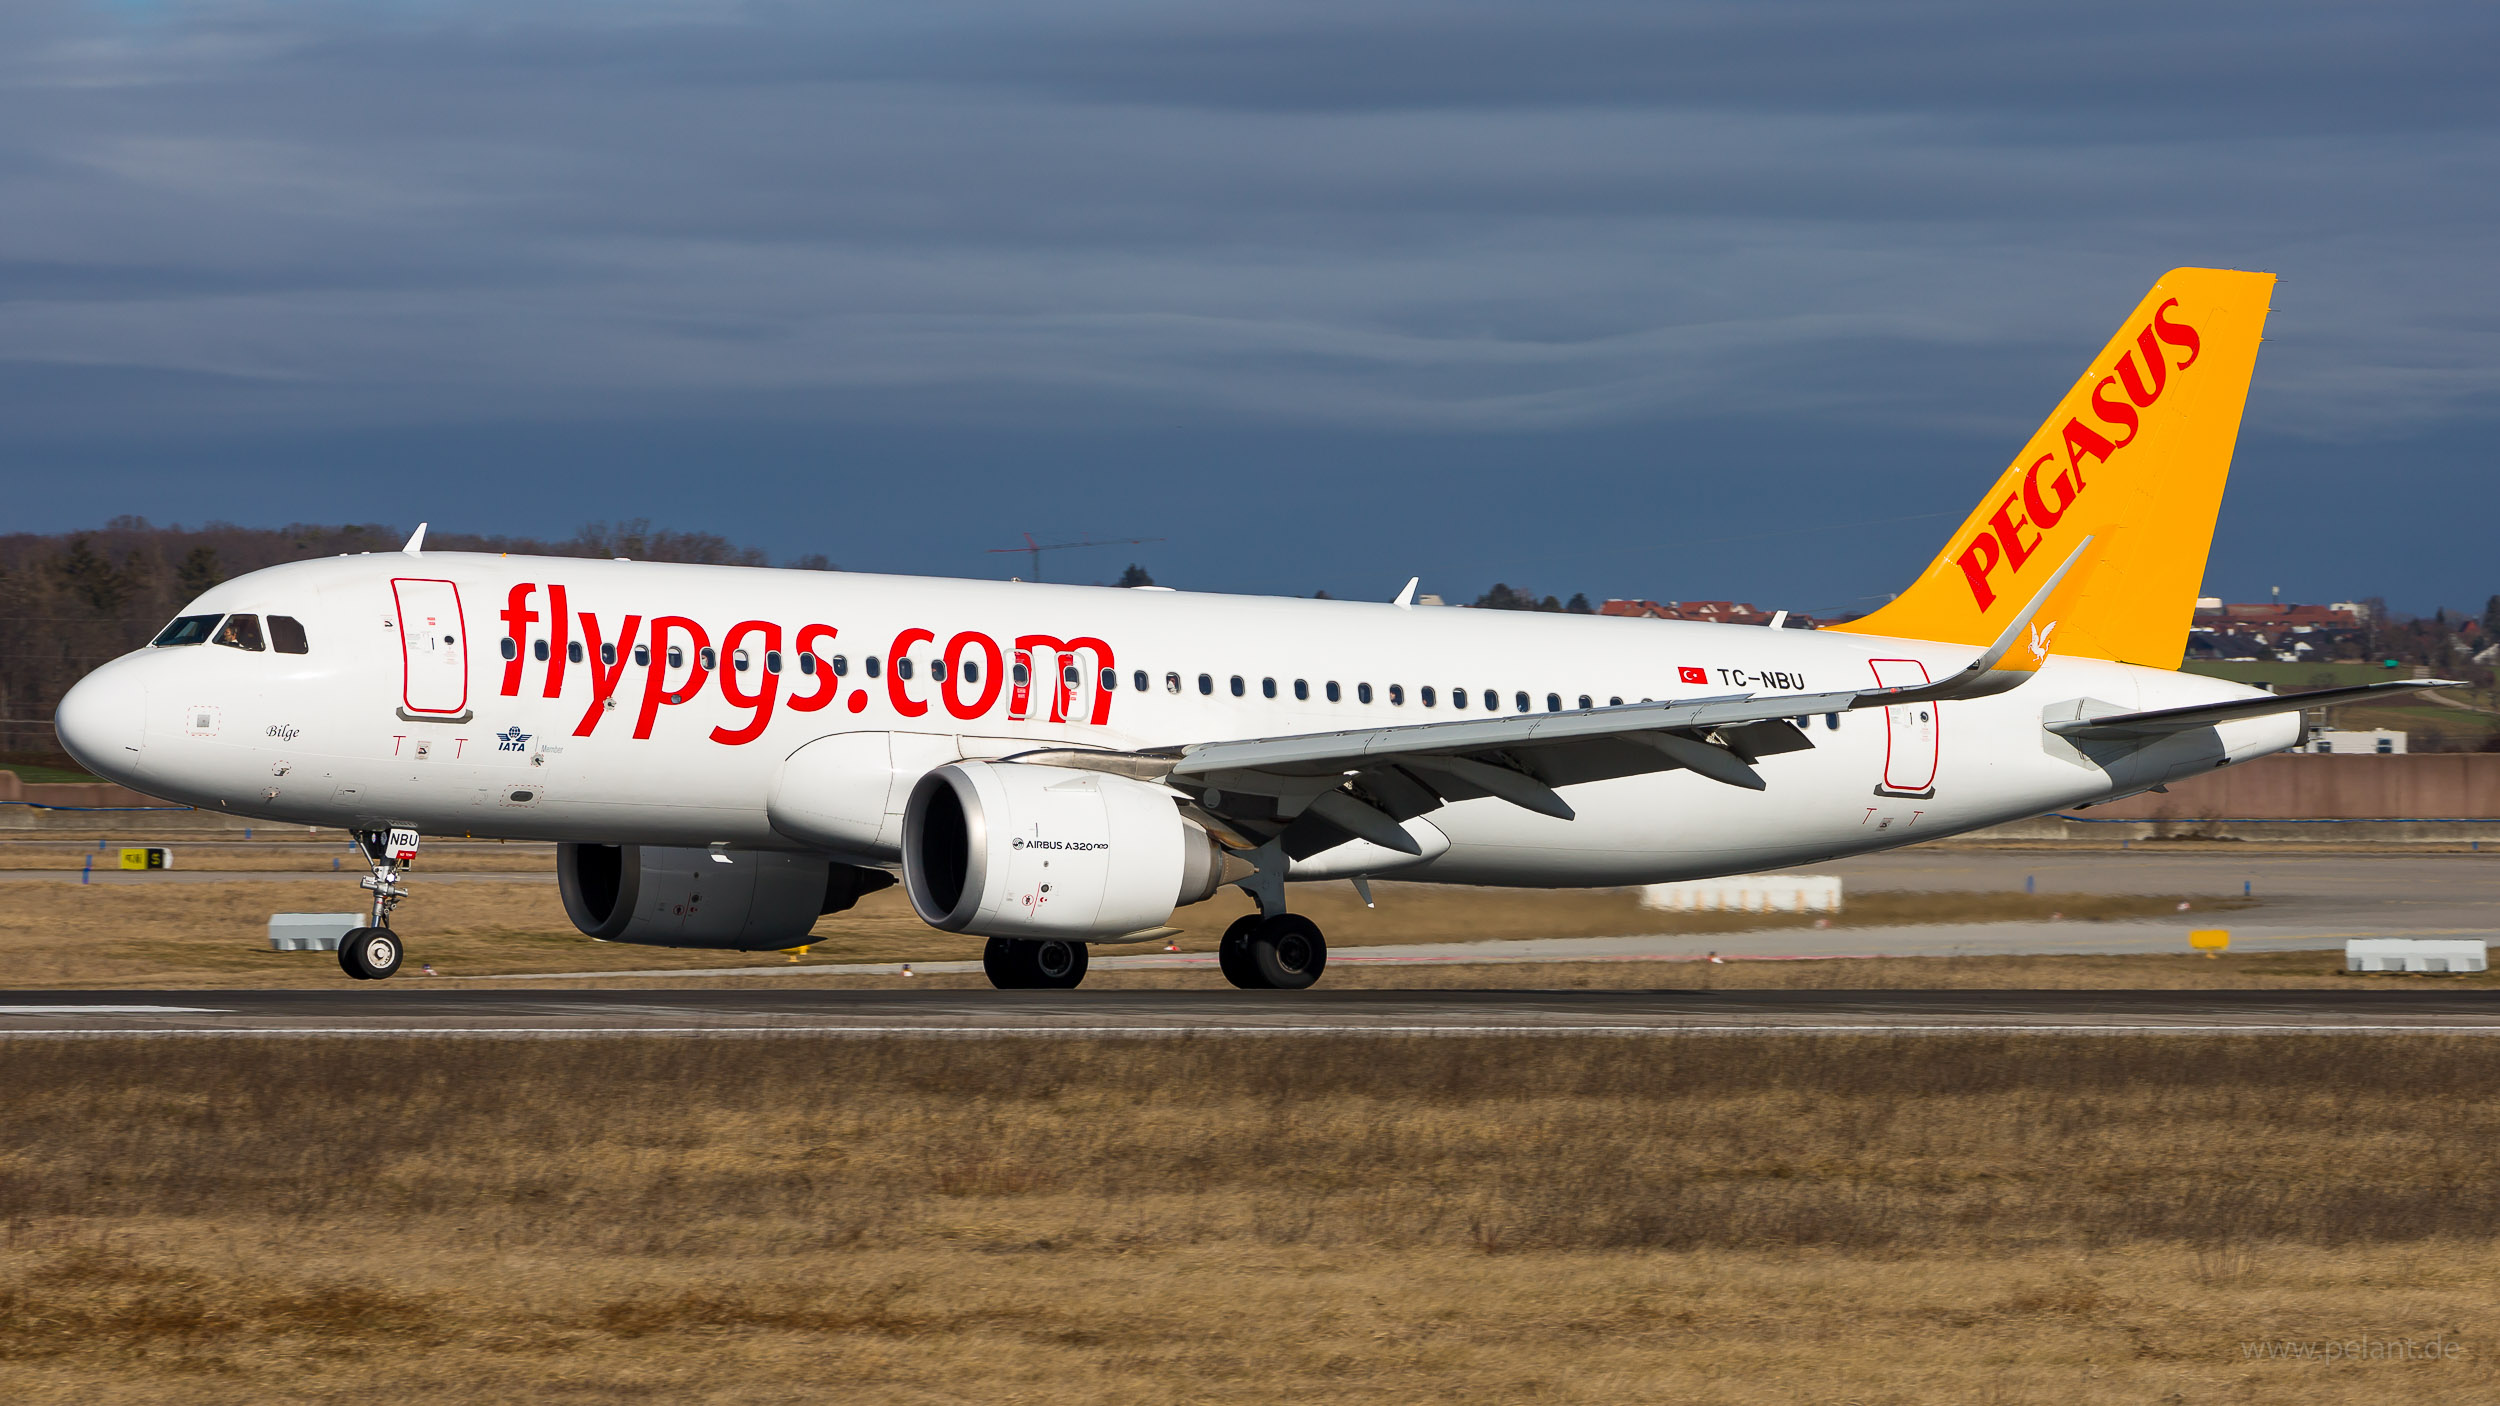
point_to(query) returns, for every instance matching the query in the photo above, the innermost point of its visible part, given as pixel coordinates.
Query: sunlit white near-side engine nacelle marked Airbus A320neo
(1036, 852)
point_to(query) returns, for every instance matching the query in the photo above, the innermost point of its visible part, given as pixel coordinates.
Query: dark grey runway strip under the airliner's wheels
(401, 1012)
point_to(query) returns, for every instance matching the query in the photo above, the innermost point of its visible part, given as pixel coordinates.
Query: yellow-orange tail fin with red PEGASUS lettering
(2136, 457)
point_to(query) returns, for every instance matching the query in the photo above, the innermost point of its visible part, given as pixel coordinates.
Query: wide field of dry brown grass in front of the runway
(1324, 1220)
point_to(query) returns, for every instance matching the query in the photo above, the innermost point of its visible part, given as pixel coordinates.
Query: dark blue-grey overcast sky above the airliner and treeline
(1624, 299)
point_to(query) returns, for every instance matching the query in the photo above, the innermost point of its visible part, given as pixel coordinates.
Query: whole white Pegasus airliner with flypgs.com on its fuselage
(729, 754)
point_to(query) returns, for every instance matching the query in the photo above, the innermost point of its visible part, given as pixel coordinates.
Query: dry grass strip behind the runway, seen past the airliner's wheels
(216, 934)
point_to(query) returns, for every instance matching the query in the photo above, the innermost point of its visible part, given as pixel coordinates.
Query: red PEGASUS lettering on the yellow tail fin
(2119, 402)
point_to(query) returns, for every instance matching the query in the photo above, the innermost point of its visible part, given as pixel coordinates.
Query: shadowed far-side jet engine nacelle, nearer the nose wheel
(706, 899)
